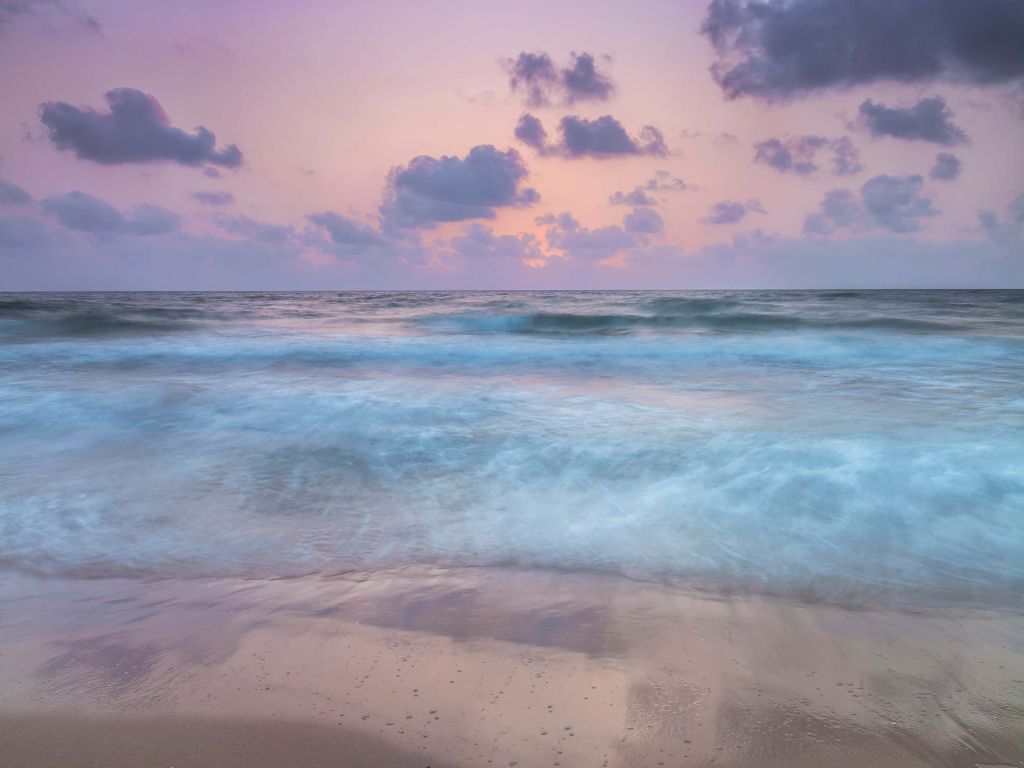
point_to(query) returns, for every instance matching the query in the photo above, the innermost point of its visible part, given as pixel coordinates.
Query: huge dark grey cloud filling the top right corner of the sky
(784, 49)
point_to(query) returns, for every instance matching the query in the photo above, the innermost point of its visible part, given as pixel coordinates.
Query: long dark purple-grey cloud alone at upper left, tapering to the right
(135, 130)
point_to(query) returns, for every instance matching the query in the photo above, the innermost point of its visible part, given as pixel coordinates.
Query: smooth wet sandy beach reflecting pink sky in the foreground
(496, 667)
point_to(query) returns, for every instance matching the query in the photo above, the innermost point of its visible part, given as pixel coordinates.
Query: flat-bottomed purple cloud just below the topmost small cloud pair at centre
(603, 138)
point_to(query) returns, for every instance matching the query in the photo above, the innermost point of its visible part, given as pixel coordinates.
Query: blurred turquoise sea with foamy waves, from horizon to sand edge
(839, 446)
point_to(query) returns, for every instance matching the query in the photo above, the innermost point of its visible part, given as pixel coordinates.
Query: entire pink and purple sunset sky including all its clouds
(323, 145)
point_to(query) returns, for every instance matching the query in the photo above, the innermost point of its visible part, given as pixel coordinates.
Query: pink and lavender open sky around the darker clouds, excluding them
(325, 99)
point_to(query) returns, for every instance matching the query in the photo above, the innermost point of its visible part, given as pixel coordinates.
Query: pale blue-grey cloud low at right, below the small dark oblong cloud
(893, 203)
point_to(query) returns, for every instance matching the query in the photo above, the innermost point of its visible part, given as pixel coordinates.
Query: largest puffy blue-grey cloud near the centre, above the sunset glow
(430, 190)
